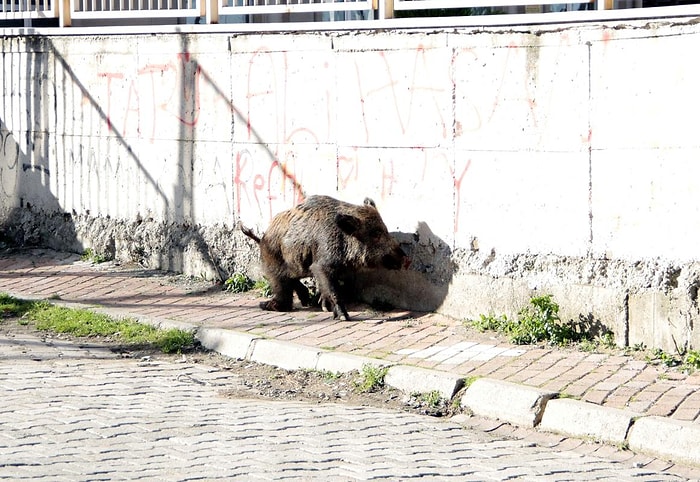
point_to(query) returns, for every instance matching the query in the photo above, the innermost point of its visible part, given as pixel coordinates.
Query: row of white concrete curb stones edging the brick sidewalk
(520, 405)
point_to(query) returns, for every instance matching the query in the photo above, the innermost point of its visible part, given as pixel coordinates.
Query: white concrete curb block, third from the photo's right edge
(517, 404)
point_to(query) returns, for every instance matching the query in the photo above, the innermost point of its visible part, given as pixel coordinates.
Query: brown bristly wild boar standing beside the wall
(327, 239)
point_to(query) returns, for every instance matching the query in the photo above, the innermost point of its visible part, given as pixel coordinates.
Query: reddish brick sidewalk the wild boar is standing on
(425, 340)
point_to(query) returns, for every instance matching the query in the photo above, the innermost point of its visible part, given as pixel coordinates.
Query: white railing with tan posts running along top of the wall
(62, 13)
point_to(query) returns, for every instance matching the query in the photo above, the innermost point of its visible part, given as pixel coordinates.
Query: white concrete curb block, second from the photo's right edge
(586, 420)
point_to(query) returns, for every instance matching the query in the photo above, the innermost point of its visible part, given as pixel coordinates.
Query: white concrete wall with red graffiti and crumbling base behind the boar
(508, 162)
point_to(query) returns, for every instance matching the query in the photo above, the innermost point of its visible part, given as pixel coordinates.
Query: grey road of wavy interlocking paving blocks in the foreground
(78, 412)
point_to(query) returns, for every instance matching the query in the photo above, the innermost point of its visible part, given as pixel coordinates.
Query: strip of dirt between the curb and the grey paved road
(258, 381)
